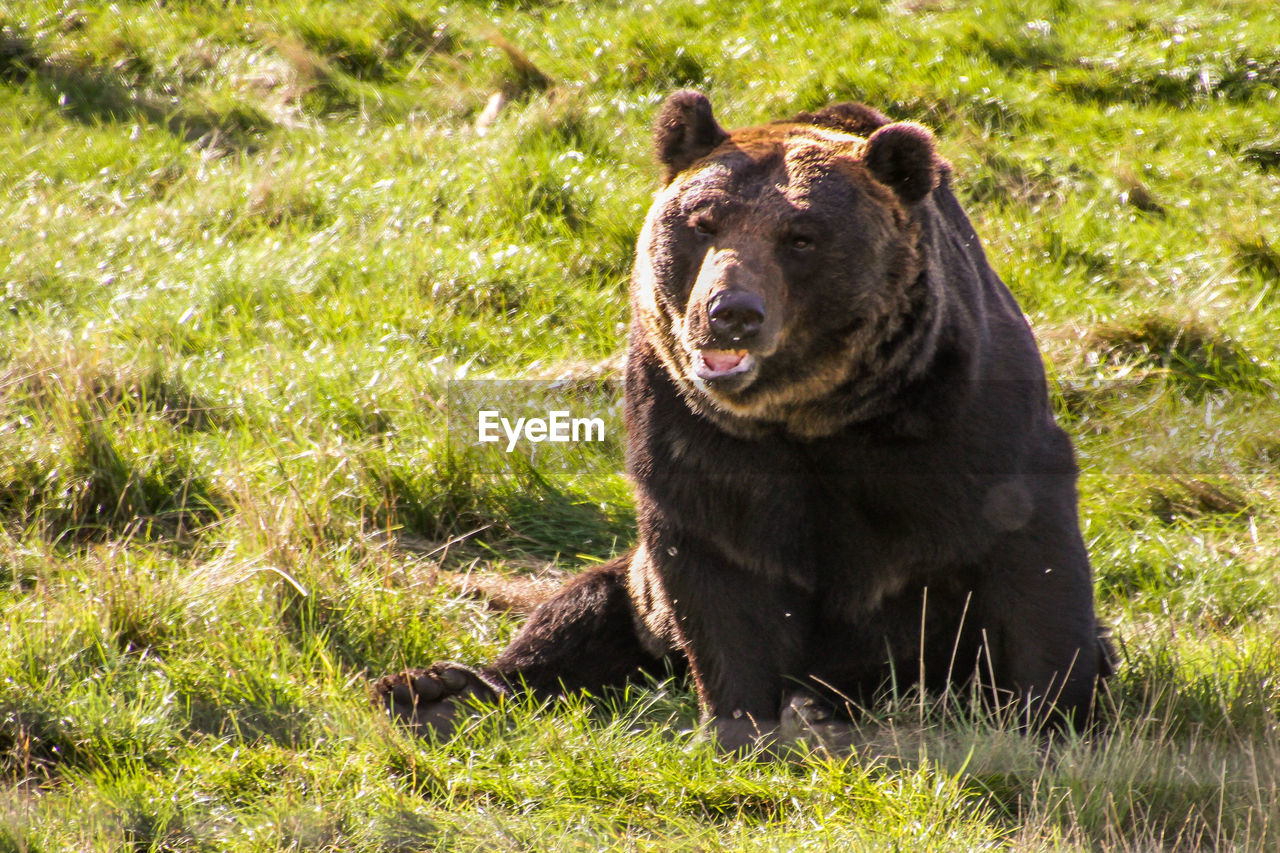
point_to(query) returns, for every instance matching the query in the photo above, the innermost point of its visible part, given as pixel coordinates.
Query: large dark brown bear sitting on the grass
(847, 467)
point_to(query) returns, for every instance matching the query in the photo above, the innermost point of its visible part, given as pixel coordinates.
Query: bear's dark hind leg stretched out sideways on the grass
(584, 638)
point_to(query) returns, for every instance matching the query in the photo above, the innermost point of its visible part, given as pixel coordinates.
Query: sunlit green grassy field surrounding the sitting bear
(248, 248)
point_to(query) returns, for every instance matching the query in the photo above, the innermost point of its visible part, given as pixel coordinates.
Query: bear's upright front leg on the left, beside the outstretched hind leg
(743, 633)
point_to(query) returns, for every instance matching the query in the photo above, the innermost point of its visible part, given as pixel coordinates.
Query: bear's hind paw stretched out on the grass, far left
(427, 700)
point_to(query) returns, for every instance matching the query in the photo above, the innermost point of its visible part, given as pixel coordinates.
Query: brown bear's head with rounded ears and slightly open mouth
(780, 271)
